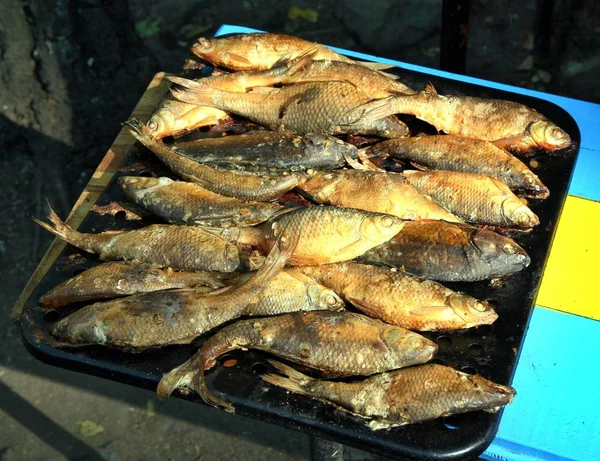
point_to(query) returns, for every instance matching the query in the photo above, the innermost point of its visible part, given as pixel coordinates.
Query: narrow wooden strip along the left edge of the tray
(112, 161)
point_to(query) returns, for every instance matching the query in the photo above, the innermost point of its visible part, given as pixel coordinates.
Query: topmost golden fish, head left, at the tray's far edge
(258, 51)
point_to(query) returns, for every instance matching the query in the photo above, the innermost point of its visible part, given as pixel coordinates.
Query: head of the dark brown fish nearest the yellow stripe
(501, 254)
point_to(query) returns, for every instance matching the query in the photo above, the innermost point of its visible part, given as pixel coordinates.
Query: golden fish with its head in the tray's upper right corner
(505, 123)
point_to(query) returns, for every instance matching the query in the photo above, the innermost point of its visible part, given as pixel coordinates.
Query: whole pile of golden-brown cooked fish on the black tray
(297, 223)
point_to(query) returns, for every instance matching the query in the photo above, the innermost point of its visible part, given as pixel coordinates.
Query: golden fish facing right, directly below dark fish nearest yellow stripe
(400, 299)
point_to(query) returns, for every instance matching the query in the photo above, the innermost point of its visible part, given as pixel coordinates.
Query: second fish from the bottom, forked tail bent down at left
(338, 343)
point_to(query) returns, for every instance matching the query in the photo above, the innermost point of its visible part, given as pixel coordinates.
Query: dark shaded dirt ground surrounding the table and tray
(71, 72)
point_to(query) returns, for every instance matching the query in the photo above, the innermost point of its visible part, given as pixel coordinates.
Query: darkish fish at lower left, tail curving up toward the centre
(165, 317)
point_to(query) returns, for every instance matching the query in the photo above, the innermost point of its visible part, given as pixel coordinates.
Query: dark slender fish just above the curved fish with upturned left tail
(260, 150)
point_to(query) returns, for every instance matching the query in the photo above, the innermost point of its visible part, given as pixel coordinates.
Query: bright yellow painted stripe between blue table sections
(571, 280)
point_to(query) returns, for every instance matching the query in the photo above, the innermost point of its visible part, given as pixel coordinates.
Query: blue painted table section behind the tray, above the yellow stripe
(586, 114)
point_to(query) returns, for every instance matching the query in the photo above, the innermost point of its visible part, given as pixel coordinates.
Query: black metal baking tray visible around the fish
(491, 351)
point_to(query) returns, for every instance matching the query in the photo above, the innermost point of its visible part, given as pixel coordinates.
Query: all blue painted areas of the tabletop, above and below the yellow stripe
(556, 412)
